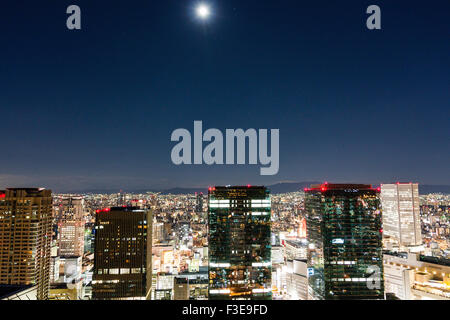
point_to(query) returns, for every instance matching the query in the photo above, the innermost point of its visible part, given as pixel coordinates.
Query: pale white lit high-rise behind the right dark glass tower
(401, 214)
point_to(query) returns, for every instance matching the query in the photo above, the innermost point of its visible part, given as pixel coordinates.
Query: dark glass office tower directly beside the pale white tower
(344, 242)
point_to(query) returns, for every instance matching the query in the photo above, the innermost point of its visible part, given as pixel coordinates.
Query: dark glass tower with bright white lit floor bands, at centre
(239, 243)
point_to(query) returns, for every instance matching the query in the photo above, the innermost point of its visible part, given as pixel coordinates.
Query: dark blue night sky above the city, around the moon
(95, 108)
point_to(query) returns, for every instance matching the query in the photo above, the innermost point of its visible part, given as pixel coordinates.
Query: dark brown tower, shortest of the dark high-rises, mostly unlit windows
(123, 254)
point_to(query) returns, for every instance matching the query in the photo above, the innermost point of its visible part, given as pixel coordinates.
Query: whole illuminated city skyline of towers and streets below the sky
(328, 241)
